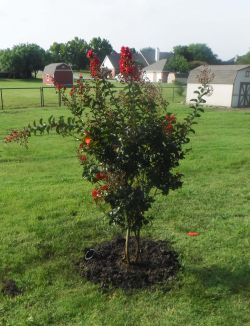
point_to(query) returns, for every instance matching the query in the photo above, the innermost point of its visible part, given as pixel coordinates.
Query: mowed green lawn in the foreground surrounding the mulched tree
(48, 217)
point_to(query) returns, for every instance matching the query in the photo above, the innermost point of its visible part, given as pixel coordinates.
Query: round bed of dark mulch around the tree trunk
(105, 264)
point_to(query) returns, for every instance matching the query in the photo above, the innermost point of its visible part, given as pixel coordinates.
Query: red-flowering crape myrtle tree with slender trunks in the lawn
(129, 144)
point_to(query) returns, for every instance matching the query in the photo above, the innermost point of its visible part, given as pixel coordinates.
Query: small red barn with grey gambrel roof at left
(58, 73)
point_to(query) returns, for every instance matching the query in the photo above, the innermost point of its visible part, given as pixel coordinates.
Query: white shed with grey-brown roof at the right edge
(230, 86)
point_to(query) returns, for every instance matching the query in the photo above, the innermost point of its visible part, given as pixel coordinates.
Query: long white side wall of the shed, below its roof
(221, 94)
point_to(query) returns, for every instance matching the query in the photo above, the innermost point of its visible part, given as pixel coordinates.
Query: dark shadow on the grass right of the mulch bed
(235, 280)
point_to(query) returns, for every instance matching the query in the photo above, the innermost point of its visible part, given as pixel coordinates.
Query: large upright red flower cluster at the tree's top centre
(128, 68)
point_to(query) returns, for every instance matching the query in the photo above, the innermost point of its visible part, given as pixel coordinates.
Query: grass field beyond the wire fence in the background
(15, 96)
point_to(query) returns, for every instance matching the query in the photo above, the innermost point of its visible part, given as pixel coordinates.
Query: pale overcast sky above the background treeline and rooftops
(221, 24)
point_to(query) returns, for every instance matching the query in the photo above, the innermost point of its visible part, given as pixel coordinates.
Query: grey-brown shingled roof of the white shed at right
(223, 74)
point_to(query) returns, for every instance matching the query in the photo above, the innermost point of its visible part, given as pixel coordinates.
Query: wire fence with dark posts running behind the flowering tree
(29, 97)
